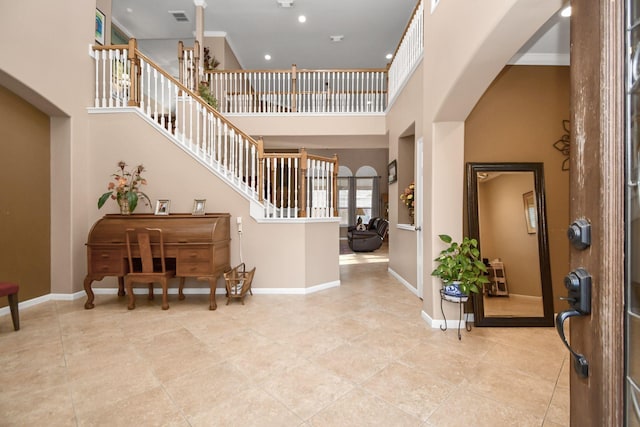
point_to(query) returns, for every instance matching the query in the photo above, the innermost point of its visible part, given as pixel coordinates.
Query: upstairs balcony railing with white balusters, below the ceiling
(363, 91)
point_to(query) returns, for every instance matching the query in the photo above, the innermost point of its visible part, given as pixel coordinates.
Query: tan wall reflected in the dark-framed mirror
(503, 231)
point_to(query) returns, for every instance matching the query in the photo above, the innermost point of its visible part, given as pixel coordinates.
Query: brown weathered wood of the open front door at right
(598, 196)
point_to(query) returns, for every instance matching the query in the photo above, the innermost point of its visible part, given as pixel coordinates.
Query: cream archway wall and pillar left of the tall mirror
(466, 46)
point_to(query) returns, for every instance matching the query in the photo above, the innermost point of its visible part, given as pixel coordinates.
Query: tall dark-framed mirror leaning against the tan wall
(507, 215)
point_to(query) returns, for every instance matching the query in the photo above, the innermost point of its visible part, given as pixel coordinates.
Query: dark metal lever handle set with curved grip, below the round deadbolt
(578, 284)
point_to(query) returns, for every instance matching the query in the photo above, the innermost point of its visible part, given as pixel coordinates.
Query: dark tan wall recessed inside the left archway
(25, 197)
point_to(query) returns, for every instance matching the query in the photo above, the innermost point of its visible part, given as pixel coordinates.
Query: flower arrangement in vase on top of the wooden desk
(125, 189)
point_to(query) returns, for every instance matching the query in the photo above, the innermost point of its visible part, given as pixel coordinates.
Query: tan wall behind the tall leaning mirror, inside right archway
(517, 120)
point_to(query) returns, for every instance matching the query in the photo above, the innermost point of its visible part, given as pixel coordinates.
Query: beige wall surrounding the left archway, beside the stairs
(63, 92)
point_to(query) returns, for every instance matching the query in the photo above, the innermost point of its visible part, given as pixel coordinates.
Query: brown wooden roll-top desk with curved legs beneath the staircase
(197, 245)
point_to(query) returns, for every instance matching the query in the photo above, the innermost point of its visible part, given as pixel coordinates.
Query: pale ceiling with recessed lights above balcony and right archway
(370, 30)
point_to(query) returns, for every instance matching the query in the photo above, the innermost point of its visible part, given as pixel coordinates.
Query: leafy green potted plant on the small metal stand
(460, 267)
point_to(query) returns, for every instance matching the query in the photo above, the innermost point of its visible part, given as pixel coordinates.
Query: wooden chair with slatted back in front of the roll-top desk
(147, 271)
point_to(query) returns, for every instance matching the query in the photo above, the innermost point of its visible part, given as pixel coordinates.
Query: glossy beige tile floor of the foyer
(357, 355)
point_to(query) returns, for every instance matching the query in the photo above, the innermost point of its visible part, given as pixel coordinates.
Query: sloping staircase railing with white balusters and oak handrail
(289, 185)
